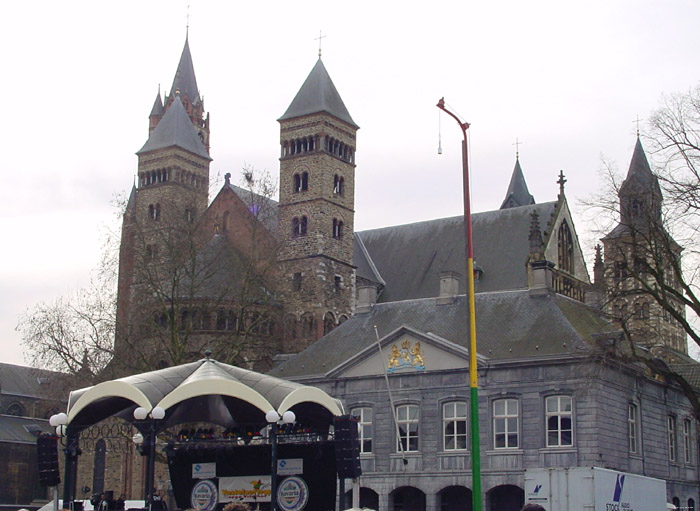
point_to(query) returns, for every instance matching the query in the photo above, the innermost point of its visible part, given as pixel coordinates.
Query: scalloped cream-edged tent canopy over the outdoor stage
(202, 391)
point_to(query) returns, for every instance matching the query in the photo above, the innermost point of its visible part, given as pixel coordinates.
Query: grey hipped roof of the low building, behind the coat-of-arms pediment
(541, 326)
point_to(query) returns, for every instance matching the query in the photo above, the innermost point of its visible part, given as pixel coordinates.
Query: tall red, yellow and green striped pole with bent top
(473, 375)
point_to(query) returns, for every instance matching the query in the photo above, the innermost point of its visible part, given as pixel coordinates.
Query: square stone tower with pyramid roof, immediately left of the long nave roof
(316, 210)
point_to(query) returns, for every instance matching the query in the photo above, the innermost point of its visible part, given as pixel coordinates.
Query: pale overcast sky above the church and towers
(567, 79)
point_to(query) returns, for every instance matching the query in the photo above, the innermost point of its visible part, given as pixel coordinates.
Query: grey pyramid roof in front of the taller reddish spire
(175, 129)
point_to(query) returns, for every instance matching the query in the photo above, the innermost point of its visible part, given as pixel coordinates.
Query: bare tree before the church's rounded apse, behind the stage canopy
(205, 284)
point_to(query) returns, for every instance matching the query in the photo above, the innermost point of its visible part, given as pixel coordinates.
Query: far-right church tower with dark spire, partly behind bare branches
(638, 248)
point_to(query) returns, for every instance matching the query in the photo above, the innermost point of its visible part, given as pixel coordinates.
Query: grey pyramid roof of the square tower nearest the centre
(318, 94)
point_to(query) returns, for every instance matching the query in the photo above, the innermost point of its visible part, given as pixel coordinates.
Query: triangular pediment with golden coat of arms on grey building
(404, 351)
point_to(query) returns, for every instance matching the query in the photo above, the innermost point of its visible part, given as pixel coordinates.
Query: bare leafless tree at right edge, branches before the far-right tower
(648, 282)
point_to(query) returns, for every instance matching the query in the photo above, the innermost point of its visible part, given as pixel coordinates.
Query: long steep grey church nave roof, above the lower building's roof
(409, 258)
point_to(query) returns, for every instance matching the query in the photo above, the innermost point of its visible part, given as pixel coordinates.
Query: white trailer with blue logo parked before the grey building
(593, 489)
